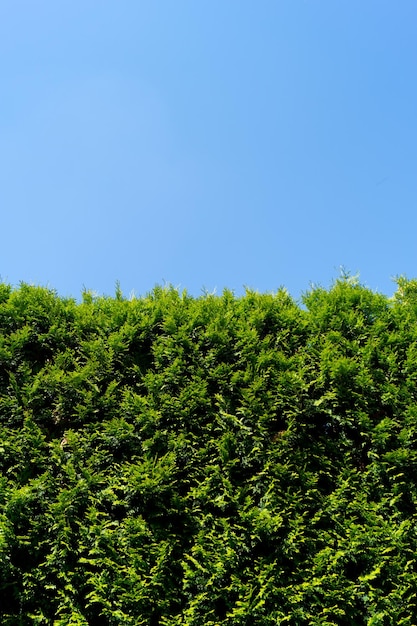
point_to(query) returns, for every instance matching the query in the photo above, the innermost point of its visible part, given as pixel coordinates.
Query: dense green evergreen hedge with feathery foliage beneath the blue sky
(172, 460)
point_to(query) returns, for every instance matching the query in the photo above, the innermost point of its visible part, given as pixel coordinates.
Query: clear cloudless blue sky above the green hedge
(207, 143)
